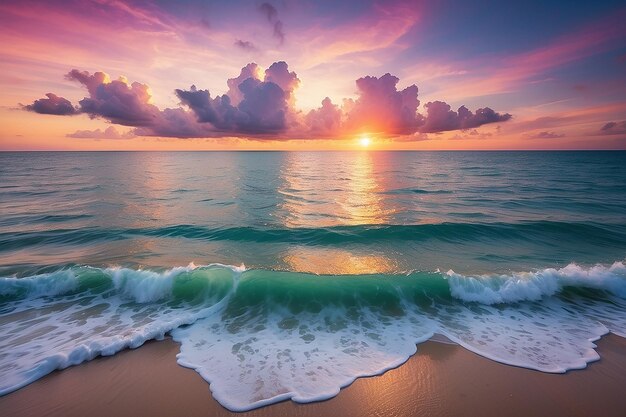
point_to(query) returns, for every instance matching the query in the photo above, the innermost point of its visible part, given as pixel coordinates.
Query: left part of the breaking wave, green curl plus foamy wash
(52, 321)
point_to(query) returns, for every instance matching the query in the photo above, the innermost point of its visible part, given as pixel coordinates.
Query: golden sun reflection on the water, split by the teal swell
(325, 190)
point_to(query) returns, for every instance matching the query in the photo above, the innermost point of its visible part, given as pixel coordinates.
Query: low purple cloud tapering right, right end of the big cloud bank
(440, 117)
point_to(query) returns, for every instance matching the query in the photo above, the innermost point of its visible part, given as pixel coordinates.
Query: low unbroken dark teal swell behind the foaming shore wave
(540, 231)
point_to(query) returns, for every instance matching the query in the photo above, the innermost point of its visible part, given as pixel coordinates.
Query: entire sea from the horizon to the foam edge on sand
(286, 275)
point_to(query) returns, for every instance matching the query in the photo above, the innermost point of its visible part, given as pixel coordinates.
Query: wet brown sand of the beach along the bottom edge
(440, 380)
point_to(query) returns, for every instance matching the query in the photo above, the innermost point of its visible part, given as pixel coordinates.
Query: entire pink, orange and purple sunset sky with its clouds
(312, 75)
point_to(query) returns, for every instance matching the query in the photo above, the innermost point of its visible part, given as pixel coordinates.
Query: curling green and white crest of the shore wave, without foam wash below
(145, 286)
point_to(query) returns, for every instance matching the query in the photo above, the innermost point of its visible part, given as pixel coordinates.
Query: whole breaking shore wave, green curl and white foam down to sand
(261, 336)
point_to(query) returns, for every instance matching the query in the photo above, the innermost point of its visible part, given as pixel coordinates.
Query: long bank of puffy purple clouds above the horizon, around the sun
(261, 104)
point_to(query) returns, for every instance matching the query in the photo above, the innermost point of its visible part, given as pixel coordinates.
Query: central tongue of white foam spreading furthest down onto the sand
(308, 357)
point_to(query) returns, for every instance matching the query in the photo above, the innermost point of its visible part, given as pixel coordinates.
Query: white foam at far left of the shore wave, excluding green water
(41, 334)
